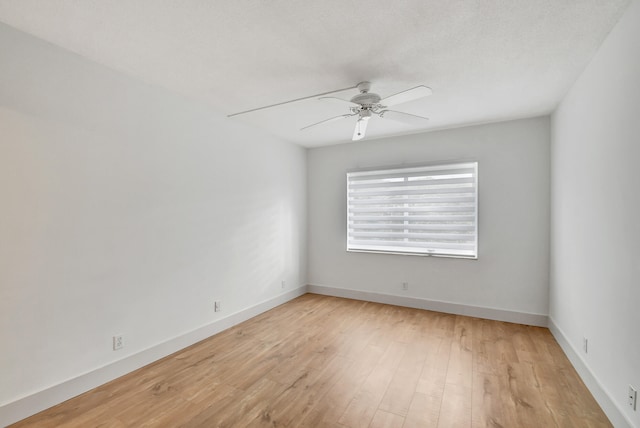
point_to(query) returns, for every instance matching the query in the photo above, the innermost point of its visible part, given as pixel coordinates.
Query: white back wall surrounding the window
(511, 273)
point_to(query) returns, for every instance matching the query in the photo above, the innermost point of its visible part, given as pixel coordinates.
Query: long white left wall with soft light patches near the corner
(128, 210)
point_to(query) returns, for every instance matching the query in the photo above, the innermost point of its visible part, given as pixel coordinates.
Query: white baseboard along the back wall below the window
(433, 305)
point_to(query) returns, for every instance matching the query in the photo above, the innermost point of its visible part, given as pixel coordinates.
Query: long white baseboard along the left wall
(34, 403)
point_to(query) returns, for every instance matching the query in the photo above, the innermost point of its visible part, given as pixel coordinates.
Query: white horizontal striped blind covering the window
(430, 210)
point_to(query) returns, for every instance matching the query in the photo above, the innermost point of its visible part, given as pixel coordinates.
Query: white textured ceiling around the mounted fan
(485, 60)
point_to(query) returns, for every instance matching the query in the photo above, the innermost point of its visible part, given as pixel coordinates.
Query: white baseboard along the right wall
(614, 413)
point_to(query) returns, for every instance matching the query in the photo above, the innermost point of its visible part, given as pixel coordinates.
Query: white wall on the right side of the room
(595, 269)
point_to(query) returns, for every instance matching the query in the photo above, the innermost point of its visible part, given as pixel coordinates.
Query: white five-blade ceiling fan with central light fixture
(365, 105)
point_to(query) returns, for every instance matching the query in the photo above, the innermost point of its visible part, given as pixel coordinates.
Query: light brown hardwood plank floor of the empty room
(321, 361)
